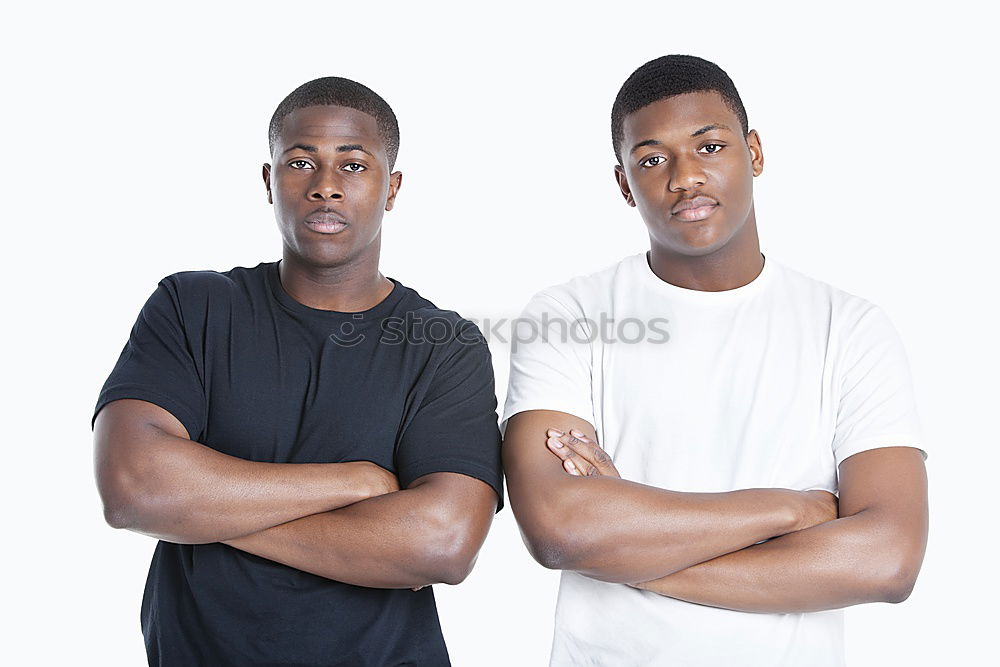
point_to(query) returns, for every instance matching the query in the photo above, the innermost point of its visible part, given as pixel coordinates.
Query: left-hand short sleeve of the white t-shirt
(550, 361)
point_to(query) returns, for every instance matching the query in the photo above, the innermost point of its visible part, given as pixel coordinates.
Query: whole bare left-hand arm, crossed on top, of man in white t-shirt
(622, 531)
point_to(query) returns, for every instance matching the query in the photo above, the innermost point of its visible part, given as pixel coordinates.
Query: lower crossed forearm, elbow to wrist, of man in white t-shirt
(835, 564)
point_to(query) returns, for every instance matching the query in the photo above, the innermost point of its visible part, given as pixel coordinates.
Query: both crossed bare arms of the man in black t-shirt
(344, 521)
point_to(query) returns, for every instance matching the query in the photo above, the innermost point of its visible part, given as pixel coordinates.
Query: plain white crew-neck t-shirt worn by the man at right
(772, 384)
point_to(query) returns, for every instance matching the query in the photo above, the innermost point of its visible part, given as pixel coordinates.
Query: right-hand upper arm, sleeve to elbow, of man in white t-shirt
(888, 486)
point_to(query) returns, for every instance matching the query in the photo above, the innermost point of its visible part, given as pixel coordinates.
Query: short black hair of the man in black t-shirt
(340, 92)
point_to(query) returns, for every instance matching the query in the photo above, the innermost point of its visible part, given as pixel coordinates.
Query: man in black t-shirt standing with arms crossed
(312, 443)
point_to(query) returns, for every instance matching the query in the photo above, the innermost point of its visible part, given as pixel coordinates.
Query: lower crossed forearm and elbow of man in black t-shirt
(405, 539)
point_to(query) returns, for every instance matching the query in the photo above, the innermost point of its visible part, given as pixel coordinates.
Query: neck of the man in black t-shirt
(349, 288)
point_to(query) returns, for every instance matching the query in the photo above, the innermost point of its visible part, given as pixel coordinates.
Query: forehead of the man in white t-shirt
(681, 115)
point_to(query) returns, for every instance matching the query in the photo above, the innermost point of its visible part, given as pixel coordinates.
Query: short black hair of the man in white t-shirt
(665, 77)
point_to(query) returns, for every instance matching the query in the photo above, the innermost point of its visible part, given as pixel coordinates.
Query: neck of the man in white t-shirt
(734, 265)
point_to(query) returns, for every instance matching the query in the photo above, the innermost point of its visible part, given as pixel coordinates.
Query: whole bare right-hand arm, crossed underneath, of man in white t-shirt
(871, 553)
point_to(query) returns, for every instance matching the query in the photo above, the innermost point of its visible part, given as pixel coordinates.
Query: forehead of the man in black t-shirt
(318, 124)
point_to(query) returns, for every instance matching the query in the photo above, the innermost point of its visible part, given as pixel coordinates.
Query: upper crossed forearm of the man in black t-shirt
(182, 491)
